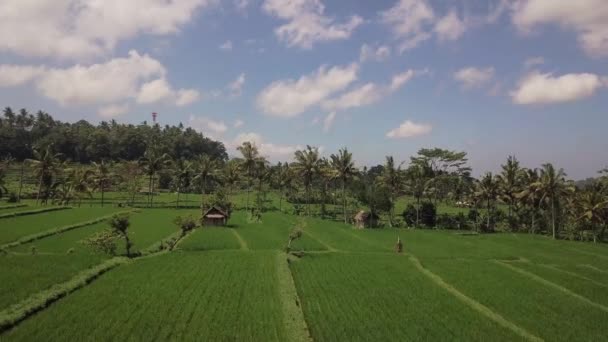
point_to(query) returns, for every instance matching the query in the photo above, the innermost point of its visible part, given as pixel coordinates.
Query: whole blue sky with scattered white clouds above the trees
(491, 77)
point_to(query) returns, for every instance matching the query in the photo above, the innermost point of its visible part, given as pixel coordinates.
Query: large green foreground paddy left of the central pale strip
(179, 296)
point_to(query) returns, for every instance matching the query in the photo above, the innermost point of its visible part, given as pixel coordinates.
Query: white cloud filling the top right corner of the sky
(588, 18)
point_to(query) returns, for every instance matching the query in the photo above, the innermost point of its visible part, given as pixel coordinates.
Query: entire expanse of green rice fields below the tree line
(227, 283)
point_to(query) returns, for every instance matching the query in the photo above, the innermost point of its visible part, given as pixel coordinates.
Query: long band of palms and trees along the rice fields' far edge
(535, 200)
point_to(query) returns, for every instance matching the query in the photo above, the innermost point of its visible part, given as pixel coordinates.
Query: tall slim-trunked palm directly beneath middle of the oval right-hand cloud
(552, 184)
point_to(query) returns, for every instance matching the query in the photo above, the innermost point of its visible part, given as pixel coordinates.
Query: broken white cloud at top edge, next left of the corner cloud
(415, 21)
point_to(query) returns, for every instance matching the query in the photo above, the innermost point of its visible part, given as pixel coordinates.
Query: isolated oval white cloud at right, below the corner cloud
(537, 88)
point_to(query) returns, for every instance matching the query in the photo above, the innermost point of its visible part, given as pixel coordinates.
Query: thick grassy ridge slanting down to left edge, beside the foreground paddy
(18, 312)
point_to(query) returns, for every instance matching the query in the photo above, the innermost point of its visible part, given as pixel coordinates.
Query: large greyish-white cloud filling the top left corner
(75, 29)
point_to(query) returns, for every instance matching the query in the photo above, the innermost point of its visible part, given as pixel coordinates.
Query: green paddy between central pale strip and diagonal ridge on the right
(358, 297)
